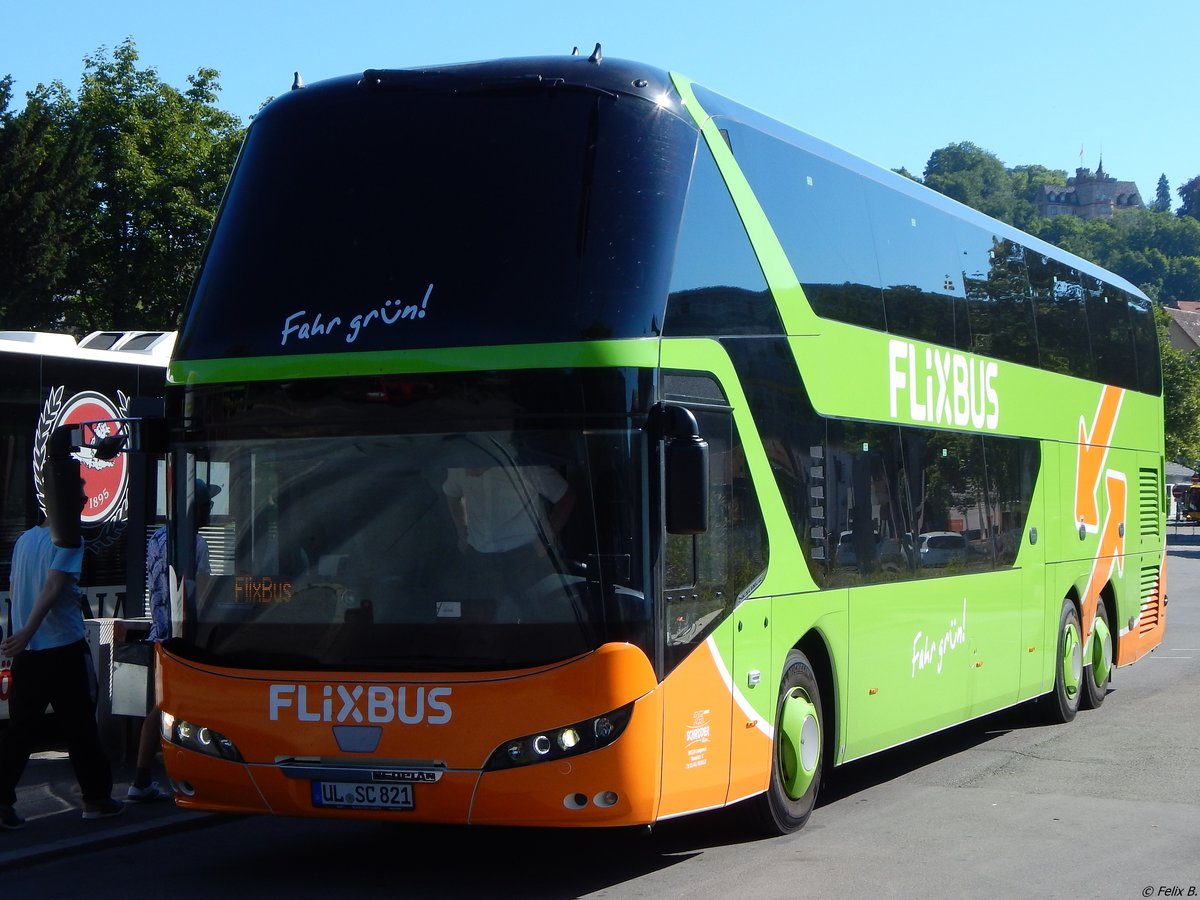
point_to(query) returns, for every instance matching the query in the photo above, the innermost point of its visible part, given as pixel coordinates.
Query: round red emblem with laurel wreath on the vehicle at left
(106, 481)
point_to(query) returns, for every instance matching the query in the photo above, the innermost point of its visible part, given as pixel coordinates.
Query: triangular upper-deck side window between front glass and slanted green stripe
(717, 287)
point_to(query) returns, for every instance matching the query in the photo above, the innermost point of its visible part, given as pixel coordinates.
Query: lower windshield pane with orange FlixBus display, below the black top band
(421, 553)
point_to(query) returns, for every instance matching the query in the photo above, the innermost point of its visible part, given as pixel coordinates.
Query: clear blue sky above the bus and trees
(1031, 81)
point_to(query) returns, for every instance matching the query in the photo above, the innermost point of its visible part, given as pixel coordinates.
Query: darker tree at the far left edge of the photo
(46, 176)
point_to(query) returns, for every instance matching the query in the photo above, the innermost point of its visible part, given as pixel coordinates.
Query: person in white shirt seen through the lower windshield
(508, 518)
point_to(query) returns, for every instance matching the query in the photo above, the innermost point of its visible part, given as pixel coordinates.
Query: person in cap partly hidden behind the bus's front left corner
(143, 789)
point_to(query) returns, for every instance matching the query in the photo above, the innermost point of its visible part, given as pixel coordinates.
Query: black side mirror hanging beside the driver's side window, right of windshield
(687, 469)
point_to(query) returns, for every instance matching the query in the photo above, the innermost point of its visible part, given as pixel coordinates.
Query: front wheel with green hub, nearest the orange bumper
(797, 759)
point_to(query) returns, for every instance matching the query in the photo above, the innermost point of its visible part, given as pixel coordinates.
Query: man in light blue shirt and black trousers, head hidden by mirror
(52, 667)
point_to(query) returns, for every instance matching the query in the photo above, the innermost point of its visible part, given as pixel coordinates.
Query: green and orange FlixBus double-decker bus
(598, 451)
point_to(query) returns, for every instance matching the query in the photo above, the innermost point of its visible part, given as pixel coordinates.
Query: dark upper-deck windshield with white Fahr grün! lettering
(363, 220)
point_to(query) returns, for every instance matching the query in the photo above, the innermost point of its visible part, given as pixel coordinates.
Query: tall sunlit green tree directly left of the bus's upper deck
(164, 158)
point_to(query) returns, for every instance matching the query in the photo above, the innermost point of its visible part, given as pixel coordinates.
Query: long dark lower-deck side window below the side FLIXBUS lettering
(862, 497)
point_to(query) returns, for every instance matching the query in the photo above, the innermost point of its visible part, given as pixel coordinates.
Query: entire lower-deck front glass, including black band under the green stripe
(339, 491)
